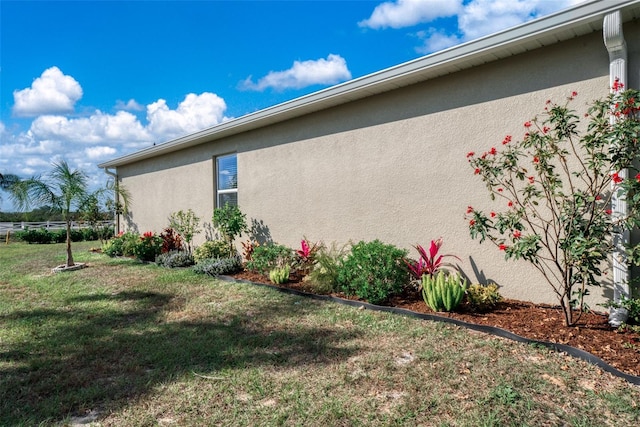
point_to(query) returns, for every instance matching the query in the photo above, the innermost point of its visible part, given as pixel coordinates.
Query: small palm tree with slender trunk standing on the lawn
(62, 188)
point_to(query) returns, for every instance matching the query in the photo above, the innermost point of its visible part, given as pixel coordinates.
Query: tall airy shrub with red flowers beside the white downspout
(554, 188)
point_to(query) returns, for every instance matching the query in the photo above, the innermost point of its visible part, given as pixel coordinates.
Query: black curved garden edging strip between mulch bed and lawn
(492, 330)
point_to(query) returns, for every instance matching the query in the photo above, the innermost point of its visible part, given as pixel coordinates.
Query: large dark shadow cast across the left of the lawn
(79, 359)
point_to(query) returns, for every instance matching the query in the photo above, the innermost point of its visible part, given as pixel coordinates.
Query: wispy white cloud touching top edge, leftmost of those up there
(406, 13)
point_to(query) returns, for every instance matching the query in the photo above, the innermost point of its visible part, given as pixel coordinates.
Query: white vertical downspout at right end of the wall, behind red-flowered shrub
(617, 48)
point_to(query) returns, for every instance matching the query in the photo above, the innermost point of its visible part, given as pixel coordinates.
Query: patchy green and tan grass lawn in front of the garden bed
(133, 344)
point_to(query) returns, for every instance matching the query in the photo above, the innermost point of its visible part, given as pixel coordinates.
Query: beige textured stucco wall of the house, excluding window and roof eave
(392, 166)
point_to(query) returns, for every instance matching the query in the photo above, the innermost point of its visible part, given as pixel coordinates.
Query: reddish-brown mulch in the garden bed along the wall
(618, 348)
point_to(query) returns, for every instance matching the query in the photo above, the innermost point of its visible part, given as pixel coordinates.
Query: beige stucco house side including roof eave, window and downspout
(384, 156)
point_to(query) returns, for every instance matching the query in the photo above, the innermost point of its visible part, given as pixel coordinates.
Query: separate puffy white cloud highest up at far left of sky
(51, 93)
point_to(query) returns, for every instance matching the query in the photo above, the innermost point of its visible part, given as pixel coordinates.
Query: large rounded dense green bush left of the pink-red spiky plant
(373, 271)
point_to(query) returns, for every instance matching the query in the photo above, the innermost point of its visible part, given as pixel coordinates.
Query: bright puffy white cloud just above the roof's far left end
(195, 113)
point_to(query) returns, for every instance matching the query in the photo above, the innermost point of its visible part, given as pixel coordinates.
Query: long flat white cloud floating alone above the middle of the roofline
(327, 71)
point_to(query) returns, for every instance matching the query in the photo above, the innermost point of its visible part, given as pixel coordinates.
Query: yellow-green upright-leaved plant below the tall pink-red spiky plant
(443, 292)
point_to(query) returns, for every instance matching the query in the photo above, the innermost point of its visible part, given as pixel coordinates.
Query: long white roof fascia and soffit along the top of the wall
(581, 19)
